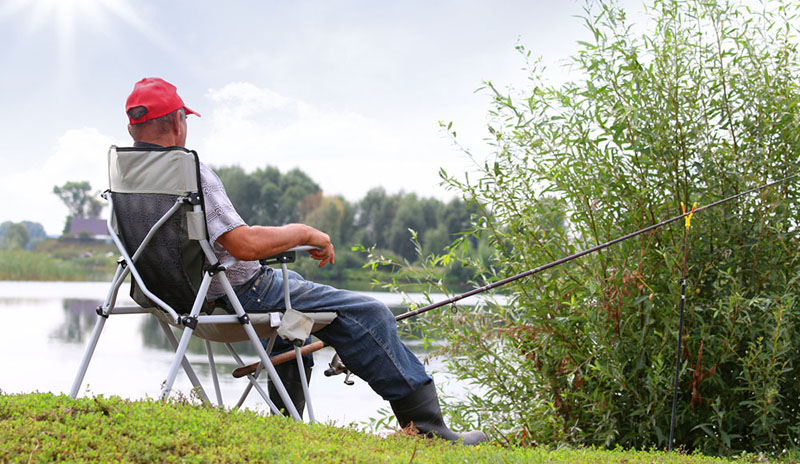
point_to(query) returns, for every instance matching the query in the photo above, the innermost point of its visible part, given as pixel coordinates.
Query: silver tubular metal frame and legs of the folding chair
(195, 322)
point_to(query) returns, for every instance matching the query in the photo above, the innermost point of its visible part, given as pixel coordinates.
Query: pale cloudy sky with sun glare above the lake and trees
(350, 92)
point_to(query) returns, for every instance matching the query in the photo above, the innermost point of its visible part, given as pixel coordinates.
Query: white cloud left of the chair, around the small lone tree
(78, 155)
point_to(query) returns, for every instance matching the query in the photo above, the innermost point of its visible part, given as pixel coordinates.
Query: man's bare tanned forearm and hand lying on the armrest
(250, 243)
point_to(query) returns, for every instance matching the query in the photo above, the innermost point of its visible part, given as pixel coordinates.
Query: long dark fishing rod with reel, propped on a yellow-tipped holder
(336, 366)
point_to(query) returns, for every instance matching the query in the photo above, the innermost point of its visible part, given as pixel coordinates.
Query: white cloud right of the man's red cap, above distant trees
(345, 152)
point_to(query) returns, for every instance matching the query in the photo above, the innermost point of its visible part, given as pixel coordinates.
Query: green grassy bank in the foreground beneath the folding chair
(48, 428)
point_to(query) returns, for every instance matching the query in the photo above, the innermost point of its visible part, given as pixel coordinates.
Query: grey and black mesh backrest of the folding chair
(145, 184)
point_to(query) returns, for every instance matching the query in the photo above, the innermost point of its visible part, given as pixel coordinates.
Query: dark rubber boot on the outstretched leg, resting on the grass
(421, 408)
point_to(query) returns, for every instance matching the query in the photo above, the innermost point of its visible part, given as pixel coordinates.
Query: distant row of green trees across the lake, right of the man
(268, 197)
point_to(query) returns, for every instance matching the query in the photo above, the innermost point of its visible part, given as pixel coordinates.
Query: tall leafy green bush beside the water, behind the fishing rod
(701, 106)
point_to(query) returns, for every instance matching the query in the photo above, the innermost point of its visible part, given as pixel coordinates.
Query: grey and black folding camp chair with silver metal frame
(157, 221)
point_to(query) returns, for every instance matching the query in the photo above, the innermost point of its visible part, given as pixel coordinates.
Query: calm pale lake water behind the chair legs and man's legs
(46, 325)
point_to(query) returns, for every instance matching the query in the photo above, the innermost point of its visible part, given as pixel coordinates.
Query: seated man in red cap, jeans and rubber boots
(364, 333)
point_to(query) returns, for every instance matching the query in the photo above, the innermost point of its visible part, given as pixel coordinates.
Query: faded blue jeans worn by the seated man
(364, 332)
